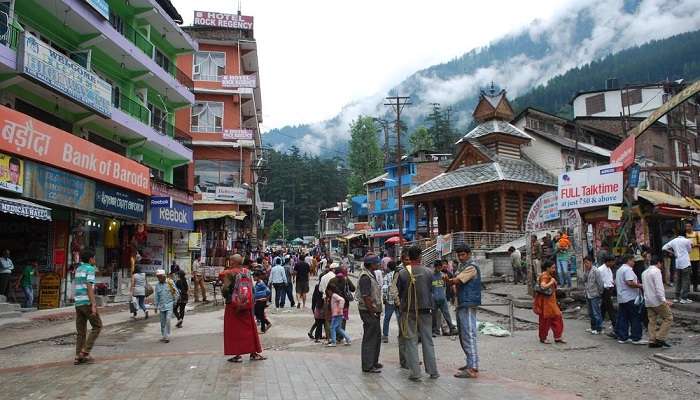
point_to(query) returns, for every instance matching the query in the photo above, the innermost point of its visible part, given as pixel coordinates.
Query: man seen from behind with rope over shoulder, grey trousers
(415, 293)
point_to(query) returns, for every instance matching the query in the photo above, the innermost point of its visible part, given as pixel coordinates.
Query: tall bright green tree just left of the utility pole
(365, 158)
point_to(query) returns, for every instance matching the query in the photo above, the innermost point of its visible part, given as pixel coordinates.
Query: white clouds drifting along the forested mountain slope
(612, 29)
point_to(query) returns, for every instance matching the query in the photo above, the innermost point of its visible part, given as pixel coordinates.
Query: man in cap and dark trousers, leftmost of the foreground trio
(369, 303)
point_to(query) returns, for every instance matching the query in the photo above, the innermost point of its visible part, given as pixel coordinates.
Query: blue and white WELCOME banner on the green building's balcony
(46, 65)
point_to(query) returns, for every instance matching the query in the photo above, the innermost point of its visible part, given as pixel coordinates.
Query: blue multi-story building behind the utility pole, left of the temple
(382, 197)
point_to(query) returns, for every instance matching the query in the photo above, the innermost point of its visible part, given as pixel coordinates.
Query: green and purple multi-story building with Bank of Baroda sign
(88, 92)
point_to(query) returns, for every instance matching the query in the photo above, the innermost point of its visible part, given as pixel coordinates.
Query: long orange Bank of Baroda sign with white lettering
(33, 139)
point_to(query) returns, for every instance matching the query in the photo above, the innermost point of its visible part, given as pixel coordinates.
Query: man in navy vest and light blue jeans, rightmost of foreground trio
(468, 283)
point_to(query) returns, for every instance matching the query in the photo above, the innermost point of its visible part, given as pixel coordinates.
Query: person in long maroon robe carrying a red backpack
(240, 331)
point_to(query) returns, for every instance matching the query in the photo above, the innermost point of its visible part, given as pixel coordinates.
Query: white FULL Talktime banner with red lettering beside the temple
(591, 187)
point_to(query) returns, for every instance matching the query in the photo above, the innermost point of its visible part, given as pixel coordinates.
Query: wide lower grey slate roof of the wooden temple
(502, 169)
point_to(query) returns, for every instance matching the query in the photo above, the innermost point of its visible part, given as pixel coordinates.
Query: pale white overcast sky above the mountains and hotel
(318, 55)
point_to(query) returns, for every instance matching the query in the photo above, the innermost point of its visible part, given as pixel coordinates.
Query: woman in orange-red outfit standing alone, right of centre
(546, 305)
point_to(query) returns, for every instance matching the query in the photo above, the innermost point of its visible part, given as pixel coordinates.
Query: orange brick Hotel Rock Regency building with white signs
(223, 126)
